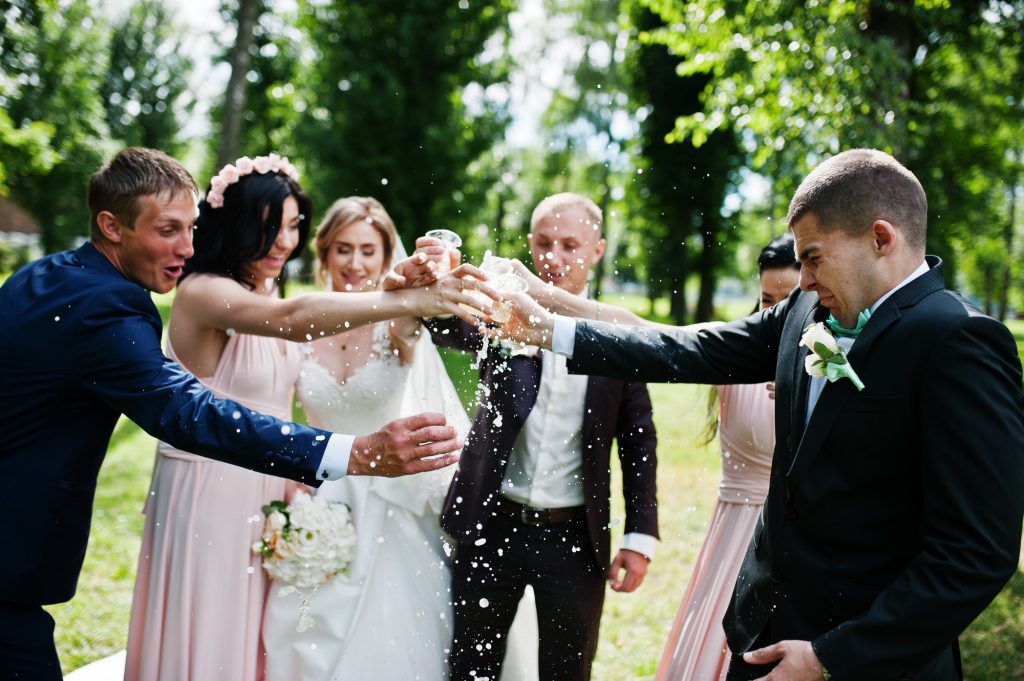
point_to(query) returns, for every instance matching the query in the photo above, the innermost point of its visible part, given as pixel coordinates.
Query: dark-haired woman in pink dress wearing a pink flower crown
(200, 591)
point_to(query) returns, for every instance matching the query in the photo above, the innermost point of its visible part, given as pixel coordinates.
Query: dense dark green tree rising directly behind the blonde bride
(401, 103)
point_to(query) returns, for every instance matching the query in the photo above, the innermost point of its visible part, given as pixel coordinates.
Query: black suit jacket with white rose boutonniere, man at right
(894, 518)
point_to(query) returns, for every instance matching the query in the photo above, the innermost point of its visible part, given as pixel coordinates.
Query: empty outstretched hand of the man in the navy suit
(405, 446)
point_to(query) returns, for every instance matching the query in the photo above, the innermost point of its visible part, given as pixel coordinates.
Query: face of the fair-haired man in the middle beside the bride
(565, 245)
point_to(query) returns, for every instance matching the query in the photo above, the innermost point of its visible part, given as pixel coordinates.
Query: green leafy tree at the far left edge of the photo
(54, 58)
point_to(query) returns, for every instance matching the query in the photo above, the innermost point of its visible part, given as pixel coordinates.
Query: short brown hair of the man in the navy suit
(133, 174)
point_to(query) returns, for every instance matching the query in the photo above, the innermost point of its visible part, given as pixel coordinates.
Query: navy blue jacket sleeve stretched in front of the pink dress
(118, 358)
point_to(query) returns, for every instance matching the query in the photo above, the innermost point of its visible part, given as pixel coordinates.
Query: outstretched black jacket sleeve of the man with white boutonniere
(742, 352)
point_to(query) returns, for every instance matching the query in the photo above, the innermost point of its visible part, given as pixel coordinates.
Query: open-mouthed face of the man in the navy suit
(154, 252)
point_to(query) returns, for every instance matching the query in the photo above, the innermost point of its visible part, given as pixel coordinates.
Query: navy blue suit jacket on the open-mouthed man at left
(79, 347)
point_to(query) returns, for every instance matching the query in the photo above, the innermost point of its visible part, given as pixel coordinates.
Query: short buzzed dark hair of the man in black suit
(852, 190)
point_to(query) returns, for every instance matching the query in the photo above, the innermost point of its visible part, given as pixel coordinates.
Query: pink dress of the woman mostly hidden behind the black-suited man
(697, 649)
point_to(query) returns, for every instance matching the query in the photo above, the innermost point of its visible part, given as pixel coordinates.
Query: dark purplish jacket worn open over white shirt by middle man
(613, 409)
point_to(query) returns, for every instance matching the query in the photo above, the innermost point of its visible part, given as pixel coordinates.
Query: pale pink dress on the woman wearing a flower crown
(200, 590)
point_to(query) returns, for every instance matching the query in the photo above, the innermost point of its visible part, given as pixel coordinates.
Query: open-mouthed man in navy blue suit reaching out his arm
(79, 347)
